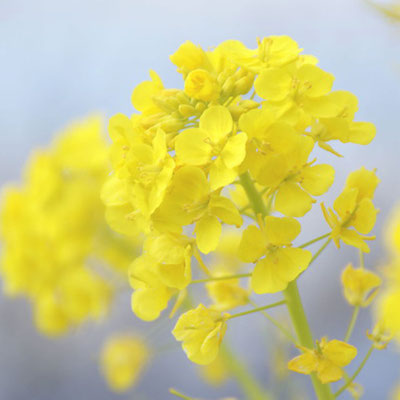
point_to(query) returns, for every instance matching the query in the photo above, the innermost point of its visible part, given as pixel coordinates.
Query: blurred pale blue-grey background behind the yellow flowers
(60, 60)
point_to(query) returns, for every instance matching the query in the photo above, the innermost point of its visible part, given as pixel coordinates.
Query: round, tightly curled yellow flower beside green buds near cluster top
(201, 85)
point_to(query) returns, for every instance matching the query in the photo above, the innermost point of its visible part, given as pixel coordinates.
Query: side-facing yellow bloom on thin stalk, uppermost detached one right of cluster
(354, 209)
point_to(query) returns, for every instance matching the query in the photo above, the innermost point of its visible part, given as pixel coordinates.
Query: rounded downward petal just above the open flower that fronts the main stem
(293, 201)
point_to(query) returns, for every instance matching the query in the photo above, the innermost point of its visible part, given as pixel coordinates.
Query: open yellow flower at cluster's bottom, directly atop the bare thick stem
(282, 263)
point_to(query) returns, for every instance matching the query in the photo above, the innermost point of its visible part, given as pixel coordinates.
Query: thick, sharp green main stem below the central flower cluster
(303, 331)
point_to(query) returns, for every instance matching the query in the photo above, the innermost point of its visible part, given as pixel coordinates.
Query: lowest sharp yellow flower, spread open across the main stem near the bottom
(327, 360)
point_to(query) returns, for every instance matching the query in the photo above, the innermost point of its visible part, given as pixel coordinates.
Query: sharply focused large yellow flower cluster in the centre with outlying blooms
(237, 144)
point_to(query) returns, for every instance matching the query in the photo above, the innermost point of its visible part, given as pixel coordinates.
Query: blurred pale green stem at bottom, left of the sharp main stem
(252, 390)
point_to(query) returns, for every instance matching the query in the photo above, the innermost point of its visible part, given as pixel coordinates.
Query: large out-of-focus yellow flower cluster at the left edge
(53, 229)
